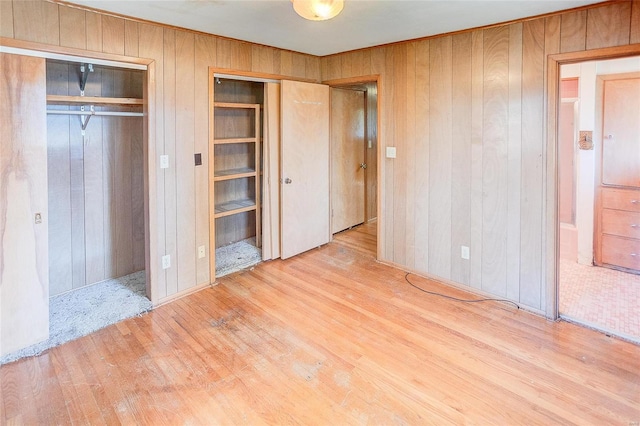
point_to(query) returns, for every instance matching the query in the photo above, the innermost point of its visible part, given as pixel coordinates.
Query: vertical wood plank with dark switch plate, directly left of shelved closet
(205, 55)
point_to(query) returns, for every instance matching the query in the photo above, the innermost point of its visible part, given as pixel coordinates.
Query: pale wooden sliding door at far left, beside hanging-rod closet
(24, 264)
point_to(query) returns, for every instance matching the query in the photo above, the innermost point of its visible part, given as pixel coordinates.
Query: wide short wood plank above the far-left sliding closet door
(36, 21)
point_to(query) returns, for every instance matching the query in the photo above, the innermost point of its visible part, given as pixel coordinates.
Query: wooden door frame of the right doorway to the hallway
(551, 225)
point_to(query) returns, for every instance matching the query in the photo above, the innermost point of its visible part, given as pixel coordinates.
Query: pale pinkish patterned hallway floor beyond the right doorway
(601, 298)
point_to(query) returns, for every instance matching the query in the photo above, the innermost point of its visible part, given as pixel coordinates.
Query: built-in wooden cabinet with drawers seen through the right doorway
(617, 237)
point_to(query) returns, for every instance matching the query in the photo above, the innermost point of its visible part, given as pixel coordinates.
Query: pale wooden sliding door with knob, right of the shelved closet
(304, 167)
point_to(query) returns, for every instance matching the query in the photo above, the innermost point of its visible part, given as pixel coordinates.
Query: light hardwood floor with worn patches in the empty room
(329, 337)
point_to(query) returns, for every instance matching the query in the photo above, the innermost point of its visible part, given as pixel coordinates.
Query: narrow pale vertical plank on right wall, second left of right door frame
(514, 172)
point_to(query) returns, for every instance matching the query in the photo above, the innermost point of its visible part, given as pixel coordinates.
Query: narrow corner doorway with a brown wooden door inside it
(354, 158)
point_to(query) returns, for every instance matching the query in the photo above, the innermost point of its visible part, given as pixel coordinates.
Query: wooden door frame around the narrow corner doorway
(374, 78)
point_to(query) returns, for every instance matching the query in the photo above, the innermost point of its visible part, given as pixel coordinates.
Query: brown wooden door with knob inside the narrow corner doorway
(347, 158)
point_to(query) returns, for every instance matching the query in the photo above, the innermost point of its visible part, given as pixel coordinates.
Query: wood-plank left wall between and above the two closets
(181, 66)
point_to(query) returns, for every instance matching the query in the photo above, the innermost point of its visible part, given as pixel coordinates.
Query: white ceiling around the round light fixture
(362, 23)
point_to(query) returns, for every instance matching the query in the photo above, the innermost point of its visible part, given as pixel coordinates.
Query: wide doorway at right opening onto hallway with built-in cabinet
(597, 291)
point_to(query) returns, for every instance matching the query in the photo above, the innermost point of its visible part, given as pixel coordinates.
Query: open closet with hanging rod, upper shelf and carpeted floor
(96, 192)
